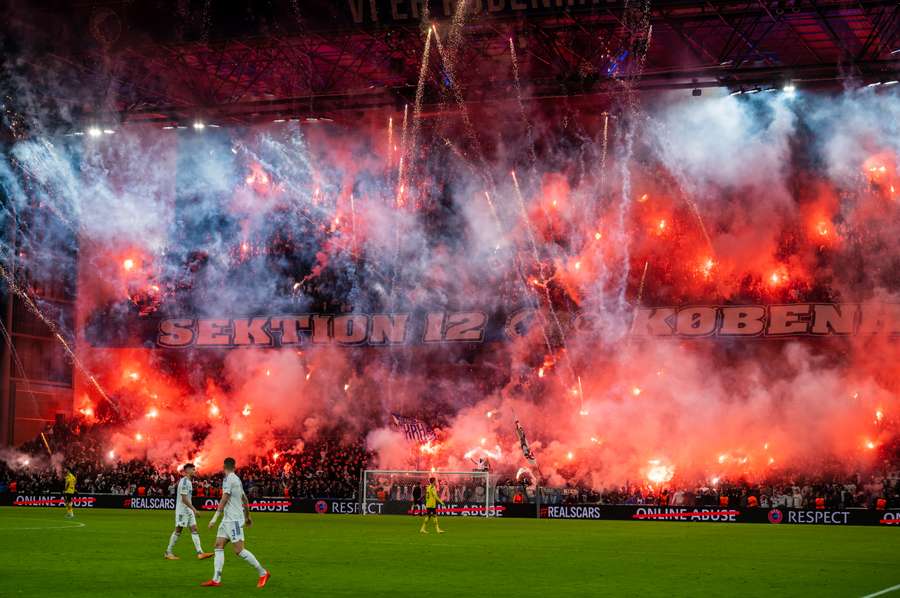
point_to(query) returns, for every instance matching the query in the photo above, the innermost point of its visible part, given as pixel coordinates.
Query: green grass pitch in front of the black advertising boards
(119, 553)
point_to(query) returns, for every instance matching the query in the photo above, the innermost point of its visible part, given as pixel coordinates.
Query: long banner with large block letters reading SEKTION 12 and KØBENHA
(474, 326)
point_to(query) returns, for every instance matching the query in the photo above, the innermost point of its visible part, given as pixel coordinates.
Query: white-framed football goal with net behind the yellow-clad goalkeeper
(463, 492)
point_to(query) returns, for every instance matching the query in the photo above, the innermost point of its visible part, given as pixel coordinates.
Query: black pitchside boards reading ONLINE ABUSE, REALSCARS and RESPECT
(638, 513)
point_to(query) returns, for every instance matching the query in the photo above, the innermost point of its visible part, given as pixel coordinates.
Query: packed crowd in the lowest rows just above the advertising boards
(330, 469)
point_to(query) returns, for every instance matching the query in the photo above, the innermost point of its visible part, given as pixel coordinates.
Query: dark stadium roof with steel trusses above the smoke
(170, 61)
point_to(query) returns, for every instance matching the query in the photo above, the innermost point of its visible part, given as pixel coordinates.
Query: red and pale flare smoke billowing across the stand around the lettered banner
(719, 201)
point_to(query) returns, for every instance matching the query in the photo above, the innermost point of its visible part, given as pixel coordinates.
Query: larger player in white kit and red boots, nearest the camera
(235, 511)
